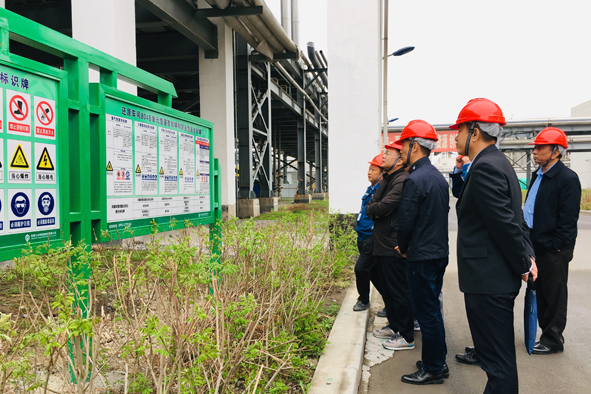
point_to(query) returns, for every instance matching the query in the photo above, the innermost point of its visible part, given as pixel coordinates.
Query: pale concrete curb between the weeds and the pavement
(339, 367)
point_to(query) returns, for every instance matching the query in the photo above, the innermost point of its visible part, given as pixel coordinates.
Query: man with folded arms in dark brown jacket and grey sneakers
(383, 210)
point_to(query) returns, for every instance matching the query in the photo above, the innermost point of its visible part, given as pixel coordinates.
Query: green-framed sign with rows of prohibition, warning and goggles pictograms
(29, 193)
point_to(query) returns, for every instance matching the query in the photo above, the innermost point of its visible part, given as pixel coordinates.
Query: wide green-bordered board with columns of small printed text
(157, 166)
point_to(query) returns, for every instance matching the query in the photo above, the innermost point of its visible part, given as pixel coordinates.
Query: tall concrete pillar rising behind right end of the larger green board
(216, 89)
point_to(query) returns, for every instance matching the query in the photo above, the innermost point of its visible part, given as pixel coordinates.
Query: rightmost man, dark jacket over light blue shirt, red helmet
(551, 211)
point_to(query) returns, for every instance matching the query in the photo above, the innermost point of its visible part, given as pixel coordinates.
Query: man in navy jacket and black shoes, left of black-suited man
(423, 238)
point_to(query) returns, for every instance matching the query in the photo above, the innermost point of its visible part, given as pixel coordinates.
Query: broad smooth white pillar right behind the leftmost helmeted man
(354, 58)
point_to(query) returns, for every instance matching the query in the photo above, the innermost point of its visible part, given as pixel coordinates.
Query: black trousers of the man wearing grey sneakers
(396, 295)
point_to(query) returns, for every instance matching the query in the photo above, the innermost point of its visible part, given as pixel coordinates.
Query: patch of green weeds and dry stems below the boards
(165, 320)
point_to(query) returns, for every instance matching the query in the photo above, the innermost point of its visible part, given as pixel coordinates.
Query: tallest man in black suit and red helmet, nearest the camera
(494, 252)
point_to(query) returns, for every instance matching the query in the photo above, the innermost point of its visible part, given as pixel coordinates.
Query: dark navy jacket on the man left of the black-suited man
(423, 211)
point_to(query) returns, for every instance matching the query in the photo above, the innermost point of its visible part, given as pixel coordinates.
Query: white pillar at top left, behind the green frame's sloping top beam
(107, 25)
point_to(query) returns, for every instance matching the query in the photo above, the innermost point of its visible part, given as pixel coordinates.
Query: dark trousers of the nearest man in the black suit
(490, 317)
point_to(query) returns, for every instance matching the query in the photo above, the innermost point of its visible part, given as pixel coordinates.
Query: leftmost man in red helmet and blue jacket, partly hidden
(365, 270)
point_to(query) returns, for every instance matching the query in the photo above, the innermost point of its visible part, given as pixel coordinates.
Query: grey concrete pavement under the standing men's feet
(567, 372)
